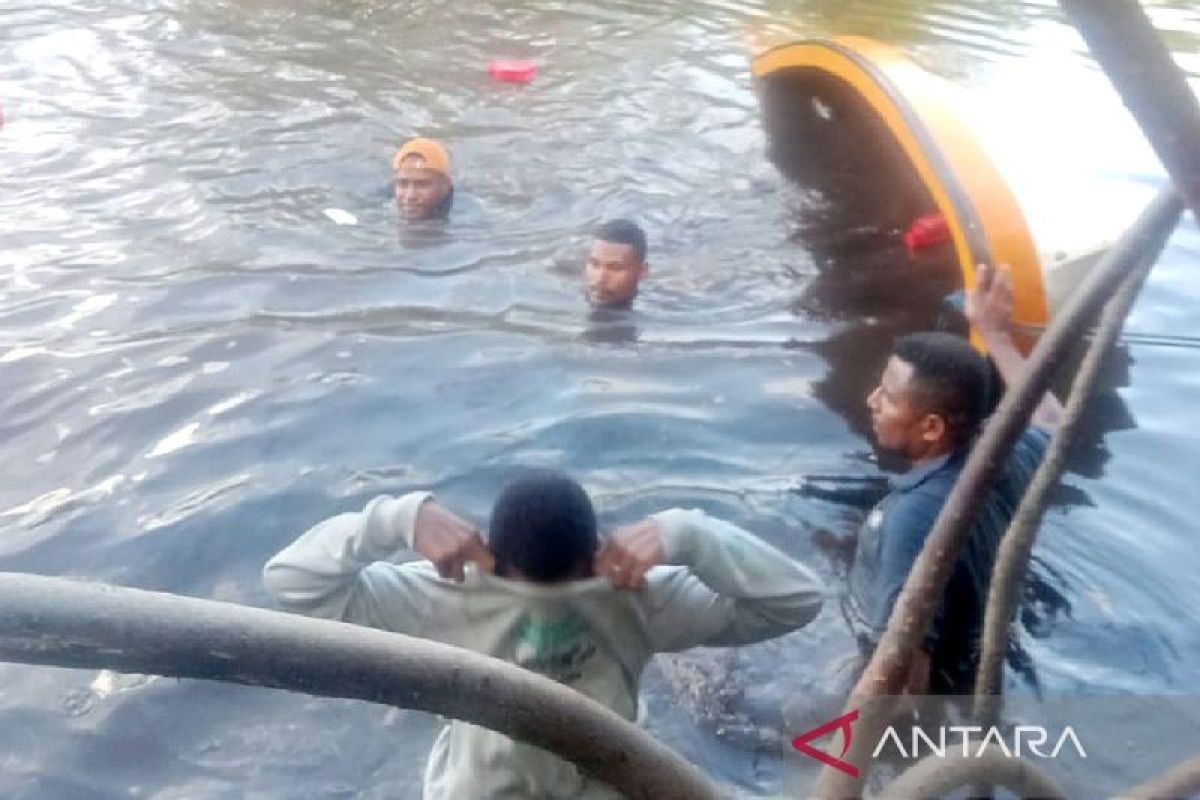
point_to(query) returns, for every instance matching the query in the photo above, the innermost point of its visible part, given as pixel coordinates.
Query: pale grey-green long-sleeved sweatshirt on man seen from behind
(724, 587)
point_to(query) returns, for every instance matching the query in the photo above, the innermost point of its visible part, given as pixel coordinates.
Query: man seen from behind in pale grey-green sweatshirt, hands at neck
(545, 593)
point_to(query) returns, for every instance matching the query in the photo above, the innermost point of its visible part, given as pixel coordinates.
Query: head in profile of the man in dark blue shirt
(933, 396)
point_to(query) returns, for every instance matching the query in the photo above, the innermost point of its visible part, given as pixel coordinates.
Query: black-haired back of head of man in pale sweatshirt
(544, 527)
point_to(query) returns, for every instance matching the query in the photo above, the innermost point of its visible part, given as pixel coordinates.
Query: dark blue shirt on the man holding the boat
(895, 534)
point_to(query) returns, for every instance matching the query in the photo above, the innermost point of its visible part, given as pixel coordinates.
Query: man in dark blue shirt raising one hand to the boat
(929, 406)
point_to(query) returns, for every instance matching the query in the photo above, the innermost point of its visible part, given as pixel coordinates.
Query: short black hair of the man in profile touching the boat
(950, 380)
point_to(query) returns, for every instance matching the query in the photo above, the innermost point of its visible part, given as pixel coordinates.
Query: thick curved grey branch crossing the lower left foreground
(73, 624)
